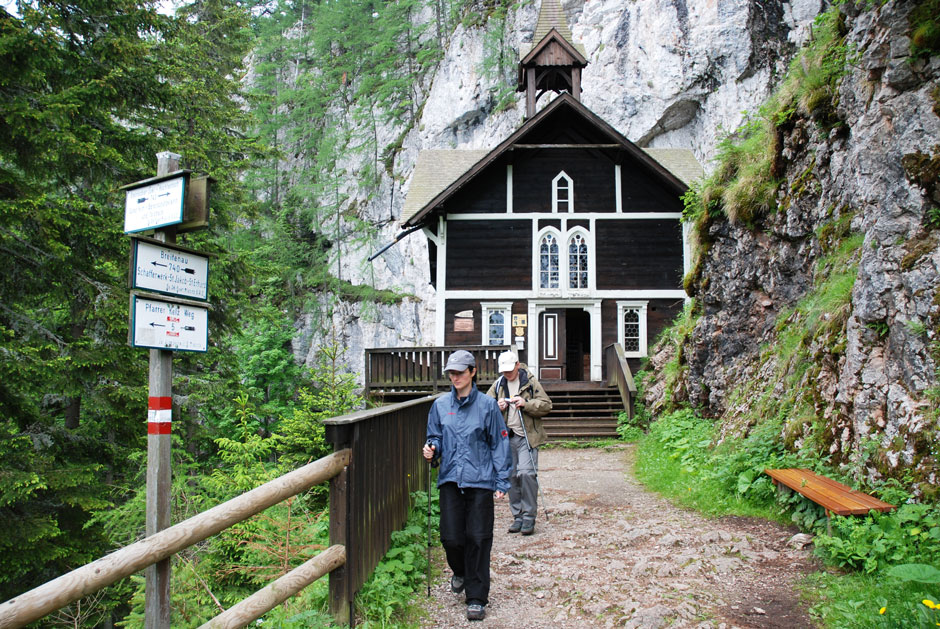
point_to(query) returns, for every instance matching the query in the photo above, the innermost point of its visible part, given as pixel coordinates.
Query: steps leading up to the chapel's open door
(582, 410)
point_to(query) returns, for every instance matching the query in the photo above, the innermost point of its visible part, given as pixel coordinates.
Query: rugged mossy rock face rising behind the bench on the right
(873, 372)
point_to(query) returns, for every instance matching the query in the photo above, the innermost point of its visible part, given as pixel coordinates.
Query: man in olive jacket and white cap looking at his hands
(523, 402)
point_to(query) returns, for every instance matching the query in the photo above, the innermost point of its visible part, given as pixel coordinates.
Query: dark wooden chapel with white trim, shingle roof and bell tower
(564, 239)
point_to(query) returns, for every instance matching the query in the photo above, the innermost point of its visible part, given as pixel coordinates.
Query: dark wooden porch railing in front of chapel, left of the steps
(418, 369)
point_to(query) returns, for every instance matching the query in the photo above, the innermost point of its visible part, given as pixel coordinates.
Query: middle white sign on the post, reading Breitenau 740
(170, 270)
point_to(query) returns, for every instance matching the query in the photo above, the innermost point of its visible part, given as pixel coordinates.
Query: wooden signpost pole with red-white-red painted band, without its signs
(159, 422)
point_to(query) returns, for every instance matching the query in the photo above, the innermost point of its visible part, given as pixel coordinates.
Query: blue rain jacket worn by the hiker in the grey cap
(471, 438)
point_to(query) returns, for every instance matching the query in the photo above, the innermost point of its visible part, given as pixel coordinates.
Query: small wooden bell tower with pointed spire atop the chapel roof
(553, 63)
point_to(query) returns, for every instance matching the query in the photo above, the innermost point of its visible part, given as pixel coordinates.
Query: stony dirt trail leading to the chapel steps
(615, 555)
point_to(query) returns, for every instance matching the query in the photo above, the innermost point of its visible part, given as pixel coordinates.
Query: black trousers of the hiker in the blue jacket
(467, 537)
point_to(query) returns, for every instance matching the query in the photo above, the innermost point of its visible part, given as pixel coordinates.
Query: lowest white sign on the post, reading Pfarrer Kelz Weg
(169, 325)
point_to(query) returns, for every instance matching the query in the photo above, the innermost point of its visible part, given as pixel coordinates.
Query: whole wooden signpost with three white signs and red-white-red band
(172, 322)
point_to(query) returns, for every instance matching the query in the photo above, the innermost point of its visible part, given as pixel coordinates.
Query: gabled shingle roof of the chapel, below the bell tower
(436, 171)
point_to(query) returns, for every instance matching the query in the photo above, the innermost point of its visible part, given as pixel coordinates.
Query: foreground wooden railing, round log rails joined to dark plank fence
(376, 465)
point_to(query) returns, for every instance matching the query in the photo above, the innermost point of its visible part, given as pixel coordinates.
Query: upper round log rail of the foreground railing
(70, 587)
